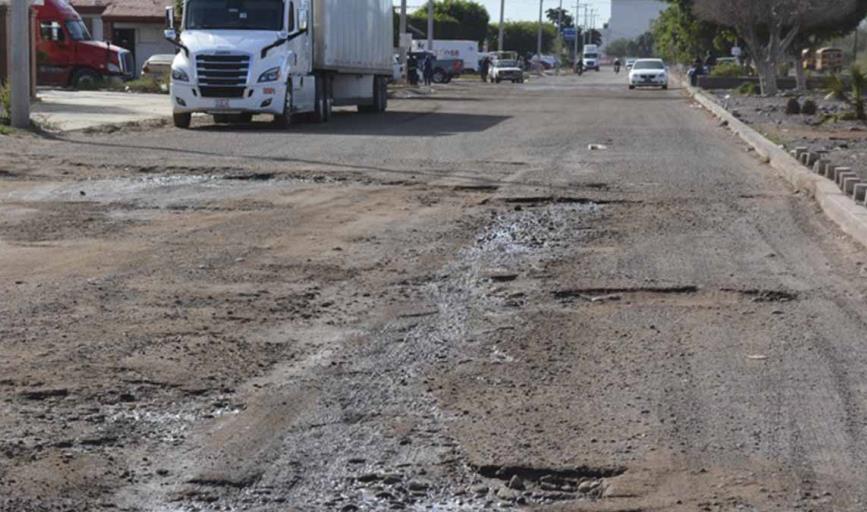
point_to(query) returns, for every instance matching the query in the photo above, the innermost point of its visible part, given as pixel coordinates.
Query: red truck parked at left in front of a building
(66, 55)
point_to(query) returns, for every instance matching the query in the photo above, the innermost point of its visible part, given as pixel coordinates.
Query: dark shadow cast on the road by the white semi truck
(394, 124)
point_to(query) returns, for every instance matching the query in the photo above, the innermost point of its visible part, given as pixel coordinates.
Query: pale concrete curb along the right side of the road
(837, 206)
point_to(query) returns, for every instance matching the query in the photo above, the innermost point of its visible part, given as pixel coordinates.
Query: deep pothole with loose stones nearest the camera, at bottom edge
(547, 484)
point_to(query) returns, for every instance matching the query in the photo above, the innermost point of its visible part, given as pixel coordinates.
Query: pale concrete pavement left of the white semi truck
(65, 110)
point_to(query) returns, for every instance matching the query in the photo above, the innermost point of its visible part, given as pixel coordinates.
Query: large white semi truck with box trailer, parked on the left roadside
(293, 59)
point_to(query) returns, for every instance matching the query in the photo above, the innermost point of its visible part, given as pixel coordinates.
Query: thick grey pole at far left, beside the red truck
(19, 79)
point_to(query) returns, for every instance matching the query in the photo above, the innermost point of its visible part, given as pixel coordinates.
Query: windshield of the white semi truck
(234, 15)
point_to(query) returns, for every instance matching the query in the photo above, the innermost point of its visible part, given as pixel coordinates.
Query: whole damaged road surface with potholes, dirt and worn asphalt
(453, 306)
